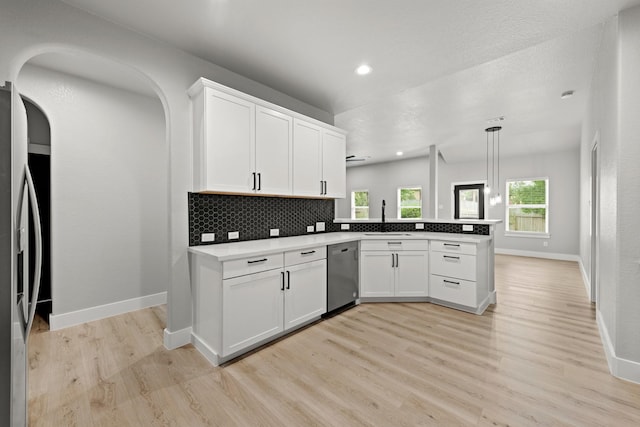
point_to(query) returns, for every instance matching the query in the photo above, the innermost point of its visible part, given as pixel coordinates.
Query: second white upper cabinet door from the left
(274, 152)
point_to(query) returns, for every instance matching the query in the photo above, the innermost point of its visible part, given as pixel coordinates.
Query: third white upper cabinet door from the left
(307, 159)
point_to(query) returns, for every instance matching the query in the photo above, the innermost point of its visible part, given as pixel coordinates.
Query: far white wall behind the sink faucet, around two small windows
(383, 180)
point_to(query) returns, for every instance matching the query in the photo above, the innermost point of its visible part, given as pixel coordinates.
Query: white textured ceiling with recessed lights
(440, 67)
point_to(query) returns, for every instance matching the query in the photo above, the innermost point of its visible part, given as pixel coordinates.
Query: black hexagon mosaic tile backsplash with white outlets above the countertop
(254, 216)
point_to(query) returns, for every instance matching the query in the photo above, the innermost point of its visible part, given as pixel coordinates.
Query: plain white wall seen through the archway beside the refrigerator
(109, 178)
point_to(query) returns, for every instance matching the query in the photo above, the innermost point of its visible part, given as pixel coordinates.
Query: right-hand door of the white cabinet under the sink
(412, 274)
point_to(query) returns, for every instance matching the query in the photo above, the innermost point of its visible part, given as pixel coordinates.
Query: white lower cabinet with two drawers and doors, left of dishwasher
(241, 303)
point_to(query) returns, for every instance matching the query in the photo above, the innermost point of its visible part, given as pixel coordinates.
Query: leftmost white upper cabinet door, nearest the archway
(229, 137)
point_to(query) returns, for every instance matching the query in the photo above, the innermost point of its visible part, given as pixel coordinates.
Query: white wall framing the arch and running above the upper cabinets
(32, 27)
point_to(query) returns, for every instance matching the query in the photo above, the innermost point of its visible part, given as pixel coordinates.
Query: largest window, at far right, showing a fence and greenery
(528, 206)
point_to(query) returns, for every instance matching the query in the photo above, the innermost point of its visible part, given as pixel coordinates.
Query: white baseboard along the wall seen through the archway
(65, 320)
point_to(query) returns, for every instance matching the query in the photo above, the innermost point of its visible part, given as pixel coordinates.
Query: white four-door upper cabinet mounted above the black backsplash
(246, 145)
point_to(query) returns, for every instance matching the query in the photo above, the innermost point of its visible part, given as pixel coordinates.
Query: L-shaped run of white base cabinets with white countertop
(246, 294)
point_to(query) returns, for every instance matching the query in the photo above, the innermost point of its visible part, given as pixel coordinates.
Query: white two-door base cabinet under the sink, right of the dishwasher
(388, 269)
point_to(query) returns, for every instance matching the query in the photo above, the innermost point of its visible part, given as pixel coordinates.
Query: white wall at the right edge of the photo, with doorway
(612, 120)
